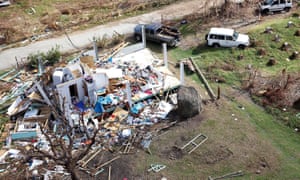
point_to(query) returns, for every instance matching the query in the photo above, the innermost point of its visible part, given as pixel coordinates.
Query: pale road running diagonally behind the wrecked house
(83, 38)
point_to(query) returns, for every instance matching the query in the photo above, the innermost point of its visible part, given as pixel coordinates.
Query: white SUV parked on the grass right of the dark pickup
(226, 38)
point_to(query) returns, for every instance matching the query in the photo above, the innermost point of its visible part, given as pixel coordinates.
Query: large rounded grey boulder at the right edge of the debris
(189, 102)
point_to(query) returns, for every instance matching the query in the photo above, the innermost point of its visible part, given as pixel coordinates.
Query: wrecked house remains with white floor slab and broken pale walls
(127, 78)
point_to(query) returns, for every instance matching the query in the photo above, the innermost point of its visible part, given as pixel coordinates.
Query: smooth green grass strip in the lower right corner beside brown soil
(286, 141)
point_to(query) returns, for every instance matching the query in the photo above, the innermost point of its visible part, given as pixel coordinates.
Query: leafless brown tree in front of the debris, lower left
(61, 151)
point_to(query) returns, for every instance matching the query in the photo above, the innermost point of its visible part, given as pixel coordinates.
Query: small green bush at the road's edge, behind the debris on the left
(49, 58)
